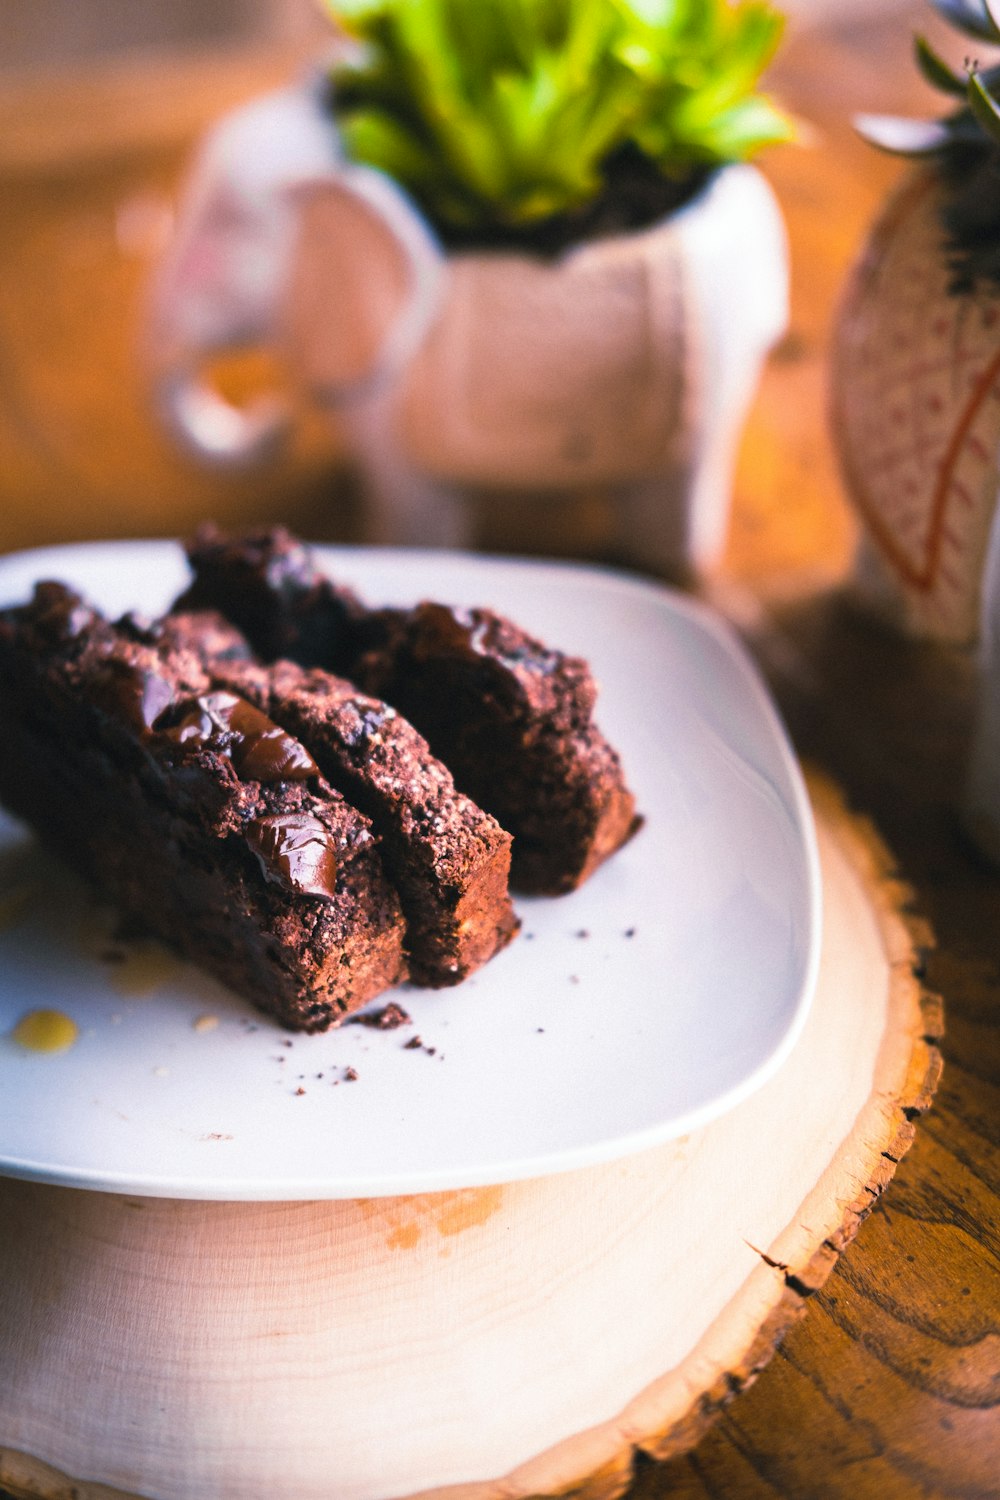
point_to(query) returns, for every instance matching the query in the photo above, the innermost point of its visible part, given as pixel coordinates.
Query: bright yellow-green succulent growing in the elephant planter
(504, 116)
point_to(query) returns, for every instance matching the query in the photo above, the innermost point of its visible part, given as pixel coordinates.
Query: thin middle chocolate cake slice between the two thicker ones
(448, 859)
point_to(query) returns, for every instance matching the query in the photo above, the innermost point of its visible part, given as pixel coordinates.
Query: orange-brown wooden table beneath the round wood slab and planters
(891, 1385)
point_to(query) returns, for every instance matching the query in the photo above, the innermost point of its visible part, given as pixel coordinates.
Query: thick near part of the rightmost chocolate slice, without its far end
(513, 722)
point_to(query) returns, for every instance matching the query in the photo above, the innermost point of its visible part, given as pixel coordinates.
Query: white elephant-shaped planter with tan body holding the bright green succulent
(623, 368)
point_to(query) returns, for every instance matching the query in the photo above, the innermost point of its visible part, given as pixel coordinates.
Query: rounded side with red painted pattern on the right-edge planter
(909, 454)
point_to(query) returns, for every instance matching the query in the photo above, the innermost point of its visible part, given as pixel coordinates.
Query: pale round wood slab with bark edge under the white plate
(484, 1345)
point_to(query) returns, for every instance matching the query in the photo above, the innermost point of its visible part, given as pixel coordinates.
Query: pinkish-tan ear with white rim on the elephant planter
(364, 286)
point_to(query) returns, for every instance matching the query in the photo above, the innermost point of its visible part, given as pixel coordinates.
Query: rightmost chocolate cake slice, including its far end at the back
(510, 718)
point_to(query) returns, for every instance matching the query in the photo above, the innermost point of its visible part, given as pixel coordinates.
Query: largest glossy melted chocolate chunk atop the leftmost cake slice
(260, 749)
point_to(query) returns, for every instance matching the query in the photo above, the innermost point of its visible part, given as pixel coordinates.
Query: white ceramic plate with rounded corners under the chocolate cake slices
(662, 994)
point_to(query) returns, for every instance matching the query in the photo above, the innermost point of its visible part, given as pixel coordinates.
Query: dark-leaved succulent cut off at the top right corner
(965, 145)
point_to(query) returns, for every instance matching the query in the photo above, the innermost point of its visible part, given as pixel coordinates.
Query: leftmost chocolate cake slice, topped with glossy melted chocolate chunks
(208, 824)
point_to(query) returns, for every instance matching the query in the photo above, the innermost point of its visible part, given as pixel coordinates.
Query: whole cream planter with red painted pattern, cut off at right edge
(917, 422)
